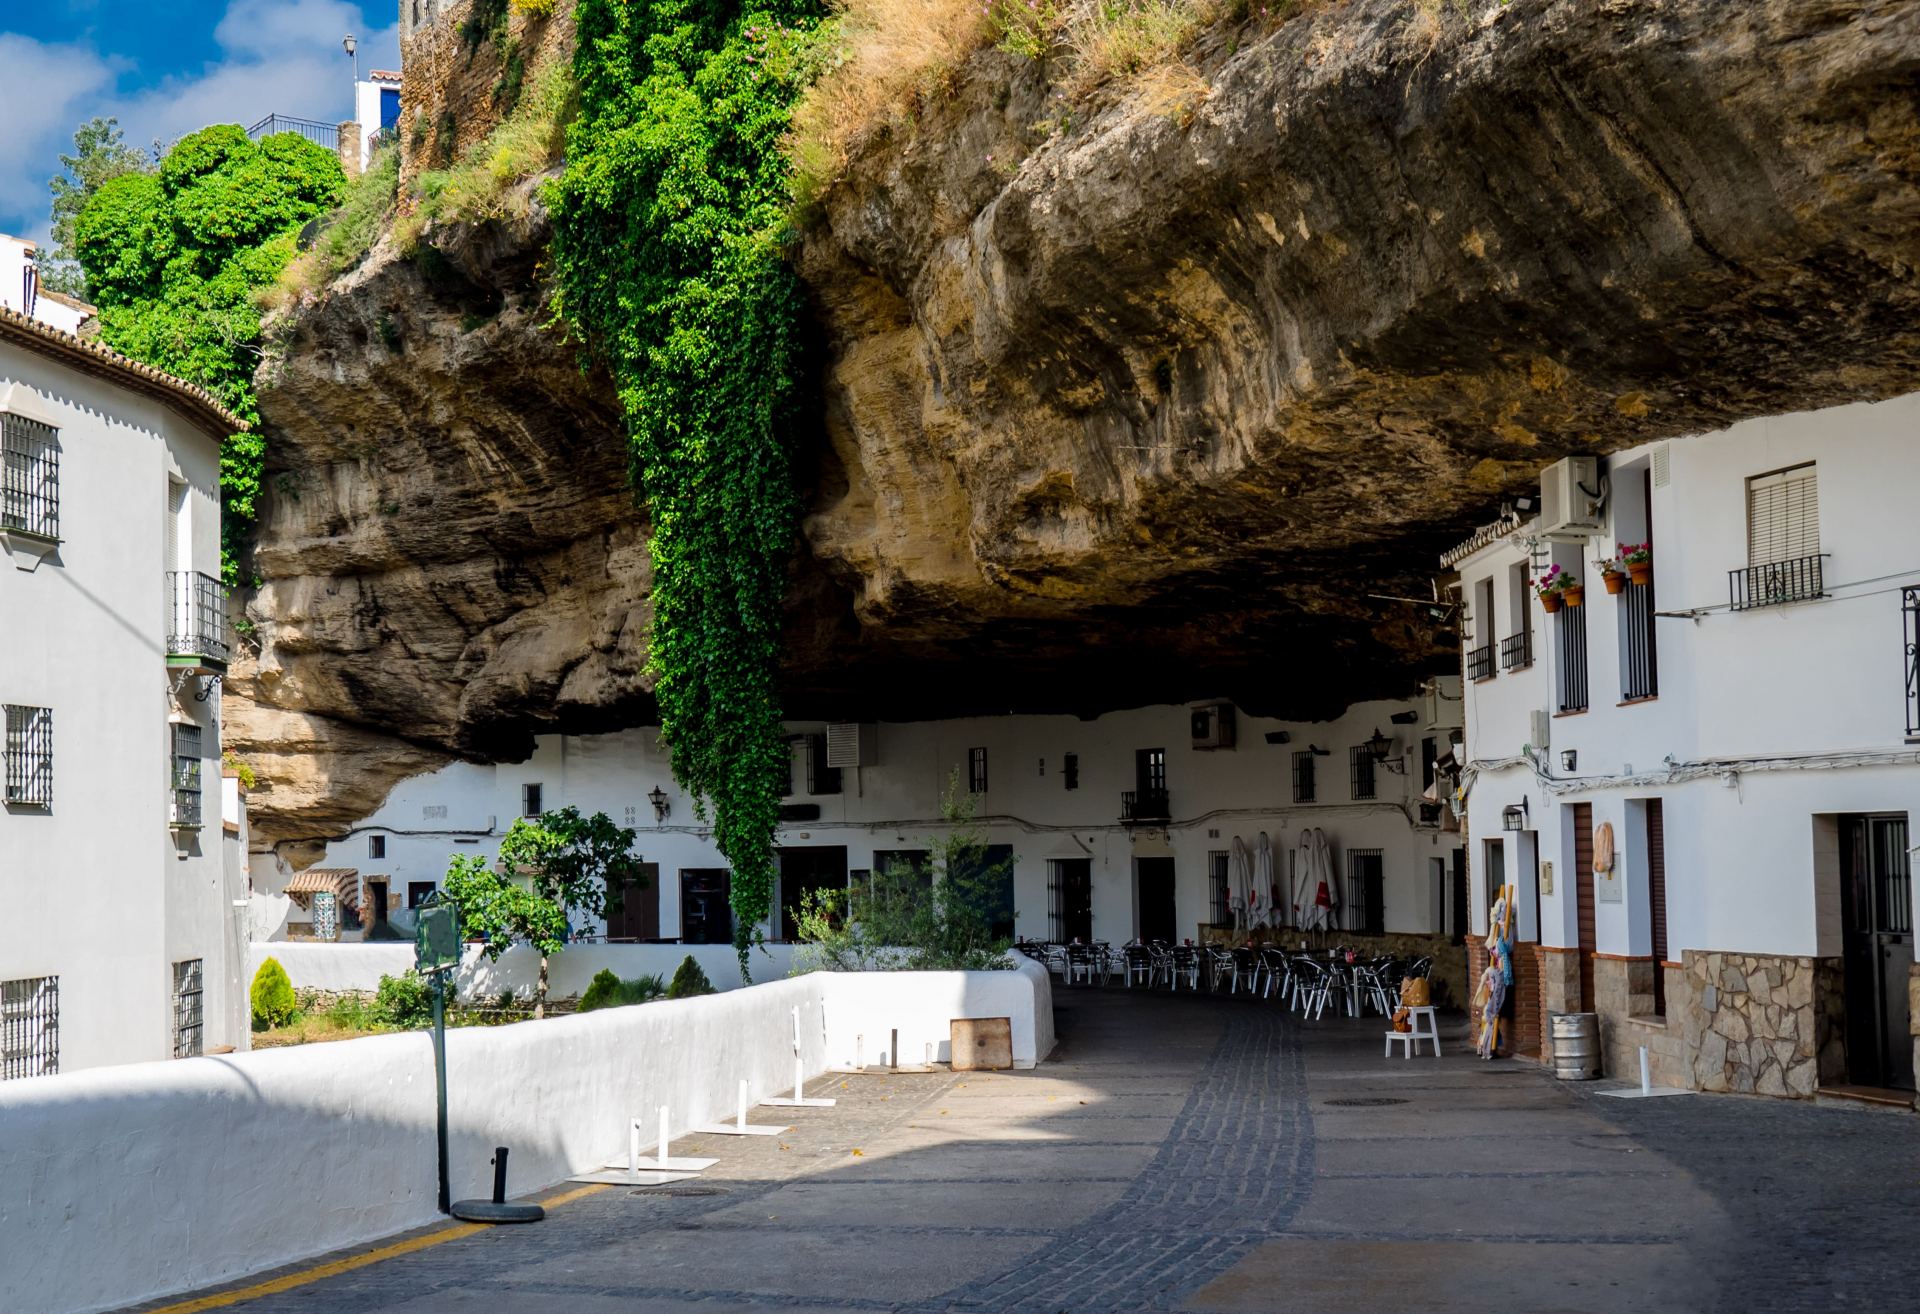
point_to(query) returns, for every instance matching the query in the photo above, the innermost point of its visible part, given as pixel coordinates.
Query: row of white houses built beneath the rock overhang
(1051, 791)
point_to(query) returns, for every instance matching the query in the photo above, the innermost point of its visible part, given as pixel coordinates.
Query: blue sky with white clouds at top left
(277, 57)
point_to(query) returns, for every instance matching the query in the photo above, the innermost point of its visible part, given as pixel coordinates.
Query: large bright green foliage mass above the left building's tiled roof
(176, 258)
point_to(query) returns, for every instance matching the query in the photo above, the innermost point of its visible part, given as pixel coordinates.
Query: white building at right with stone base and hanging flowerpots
(1746, 729)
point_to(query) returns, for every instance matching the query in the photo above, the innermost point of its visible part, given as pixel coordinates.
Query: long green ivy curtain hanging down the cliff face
(667, 253)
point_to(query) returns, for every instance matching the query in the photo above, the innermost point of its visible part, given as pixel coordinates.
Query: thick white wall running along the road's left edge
(133, 1182)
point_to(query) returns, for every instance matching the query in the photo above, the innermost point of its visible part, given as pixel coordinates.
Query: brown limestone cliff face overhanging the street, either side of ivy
(1136, 406)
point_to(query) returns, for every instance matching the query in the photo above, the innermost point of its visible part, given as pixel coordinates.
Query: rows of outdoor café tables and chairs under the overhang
(1308, 983)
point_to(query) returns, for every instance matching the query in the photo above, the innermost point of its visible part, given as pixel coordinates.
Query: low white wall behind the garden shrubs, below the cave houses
(362, 965)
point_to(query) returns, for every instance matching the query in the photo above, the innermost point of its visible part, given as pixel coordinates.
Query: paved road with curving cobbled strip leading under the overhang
(1218, 1157)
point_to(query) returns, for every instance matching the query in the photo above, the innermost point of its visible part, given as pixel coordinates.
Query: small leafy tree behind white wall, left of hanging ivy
(569, 864)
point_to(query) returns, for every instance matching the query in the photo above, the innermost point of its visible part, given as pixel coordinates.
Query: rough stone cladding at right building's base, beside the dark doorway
(1762, 1025)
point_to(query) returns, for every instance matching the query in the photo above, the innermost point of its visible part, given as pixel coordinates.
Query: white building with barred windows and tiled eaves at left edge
(120, 858)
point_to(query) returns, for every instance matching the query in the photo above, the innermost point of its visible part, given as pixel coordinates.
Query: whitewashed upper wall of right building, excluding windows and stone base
(1817, 689)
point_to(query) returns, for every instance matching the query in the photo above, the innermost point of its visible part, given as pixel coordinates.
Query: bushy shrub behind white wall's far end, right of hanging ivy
(900, 921)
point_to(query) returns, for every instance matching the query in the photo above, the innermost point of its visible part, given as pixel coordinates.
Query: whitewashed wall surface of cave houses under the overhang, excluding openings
(896, 806)
